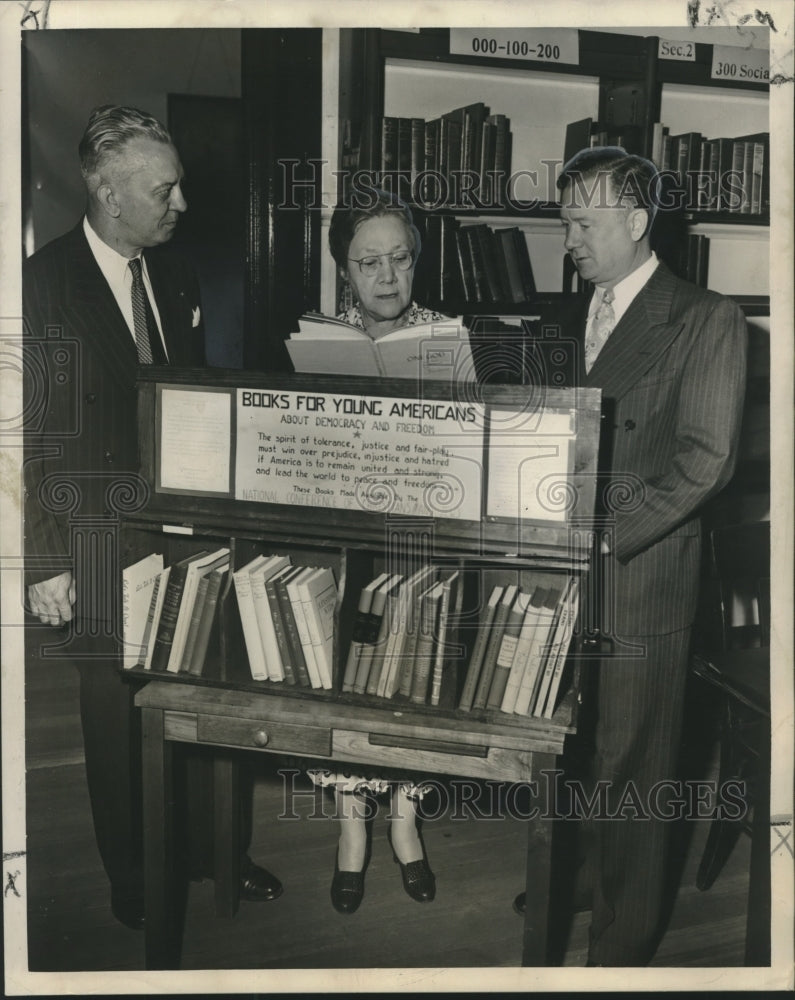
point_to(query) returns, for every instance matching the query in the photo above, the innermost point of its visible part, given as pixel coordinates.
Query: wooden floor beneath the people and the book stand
(479, 864)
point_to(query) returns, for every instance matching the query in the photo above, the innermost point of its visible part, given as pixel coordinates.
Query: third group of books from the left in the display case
(405, 635)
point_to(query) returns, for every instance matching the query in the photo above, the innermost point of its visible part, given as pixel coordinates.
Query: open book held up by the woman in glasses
(438, 349)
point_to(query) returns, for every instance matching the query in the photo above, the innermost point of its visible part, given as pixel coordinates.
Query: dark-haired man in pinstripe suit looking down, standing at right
(670, 360)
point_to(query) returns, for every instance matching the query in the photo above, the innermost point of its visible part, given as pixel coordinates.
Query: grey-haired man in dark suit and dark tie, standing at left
(83, 346)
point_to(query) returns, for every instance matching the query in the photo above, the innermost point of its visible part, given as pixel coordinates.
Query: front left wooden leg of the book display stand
(161, 934)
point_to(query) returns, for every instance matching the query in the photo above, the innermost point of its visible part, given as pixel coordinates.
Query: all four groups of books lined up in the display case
(405, 634)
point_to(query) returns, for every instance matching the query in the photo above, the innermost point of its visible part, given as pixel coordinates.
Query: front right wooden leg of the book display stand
(537, 879)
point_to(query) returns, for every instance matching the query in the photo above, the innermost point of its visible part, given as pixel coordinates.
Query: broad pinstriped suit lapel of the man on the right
(643, 334)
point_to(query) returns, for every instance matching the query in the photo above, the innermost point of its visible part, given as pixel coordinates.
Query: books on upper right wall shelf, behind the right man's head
(713, 175)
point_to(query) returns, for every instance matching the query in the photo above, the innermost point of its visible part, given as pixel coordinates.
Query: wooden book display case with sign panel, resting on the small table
(351, 540)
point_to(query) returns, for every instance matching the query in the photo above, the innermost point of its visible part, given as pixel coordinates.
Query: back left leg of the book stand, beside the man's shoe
(226, 809)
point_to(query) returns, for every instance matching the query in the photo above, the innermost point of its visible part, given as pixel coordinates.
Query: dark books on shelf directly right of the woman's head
(474, 263)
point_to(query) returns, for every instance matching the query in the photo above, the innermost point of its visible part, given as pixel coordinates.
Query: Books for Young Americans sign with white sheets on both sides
(459, 460)
